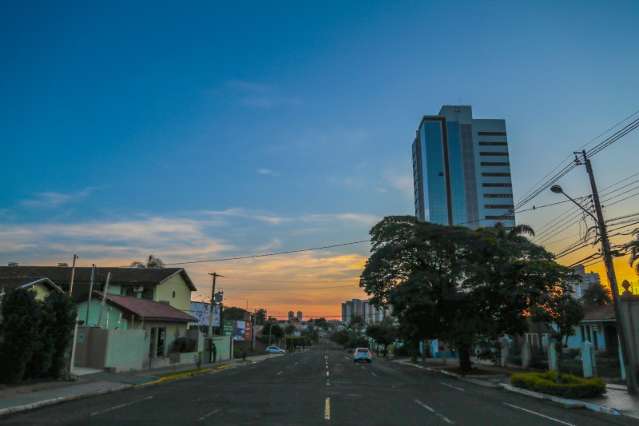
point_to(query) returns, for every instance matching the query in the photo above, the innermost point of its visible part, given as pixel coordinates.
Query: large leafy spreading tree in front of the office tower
(457, 284)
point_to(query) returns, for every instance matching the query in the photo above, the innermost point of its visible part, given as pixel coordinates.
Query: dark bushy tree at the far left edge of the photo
(19, 329)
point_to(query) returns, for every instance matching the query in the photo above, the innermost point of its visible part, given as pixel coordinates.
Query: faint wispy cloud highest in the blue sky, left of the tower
(259, 95)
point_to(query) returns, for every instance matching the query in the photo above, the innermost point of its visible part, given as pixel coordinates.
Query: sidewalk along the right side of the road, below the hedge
(616, 400)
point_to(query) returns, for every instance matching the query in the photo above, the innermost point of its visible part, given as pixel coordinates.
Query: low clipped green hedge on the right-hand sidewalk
(568, 386)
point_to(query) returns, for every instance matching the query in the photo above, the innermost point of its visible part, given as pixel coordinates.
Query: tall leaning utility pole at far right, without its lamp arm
(631, 374)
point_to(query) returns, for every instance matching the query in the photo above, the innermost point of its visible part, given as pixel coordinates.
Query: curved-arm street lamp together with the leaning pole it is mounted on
(628, 359)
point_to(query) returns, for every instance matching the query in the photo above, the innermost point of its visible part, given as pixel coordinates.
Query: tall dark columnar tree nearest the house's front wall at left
(63, 311)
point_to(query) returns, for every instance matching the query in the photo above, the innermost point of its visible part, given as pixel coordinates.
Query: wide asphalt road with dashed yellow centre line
(318, 387)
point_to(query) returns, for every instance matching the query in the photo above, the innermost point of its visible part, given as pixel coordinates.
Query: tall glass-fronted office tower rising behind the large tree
(461, 170)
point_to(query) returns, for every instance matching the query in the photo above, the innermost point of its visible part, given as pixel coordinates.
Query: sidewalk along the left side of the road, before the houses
(23, 398)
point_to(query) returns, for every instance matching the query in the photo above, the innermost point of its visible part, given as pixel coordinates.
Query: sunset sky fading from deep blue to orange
(198, 130)
